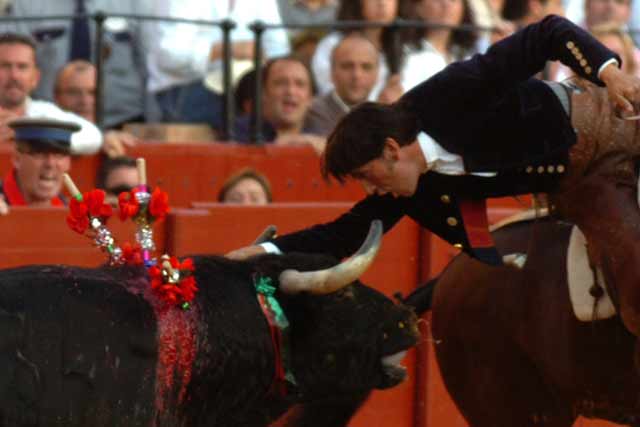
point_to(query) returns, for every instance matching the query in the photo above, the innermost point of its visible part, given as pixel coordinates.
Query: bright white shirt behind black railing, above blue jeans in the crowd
(179, 52)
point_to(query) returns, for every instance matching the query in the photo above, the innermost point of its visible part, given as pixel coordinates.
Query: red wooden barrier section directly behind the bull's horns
(220, 228)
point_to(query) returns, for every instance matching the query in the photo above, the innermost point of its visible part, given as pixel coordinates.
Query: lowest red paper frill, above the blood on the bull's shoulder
(174, 293)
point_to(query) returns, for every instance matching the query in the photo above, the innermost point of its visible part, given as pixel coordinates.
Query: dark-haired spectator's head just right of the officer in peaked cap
(117, 175)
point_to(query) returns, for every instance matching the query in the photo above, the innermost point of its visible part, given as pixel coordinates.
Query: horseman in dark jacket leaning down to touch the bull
(480, 128)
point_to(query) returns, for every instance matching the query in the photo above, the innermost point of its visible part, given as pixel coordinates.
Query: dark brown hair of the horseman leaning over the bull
(359, 137)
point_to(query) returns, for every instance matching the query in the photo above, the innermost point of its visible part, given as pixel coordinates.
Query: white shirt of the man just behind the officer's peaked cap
(87, 140)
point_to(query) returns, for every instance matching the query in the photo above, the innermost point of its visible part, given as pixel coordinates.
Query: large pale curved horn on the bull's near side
(337, 277)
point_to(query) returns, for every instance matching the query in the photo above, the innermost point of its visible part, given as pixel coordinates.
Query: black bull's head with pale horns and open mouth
(346, 337)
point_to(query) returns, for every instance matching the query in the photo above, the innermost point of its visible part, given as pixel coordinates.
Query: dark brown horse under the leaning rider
(509, 347)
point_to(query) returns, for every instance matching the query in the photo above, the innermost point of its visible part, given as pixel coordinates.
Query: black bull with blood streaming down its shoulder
(90, 347)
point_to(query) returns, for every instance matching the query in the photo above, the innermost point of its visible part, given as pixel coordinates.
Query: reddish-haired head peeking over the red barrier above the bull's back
(246, 187)
